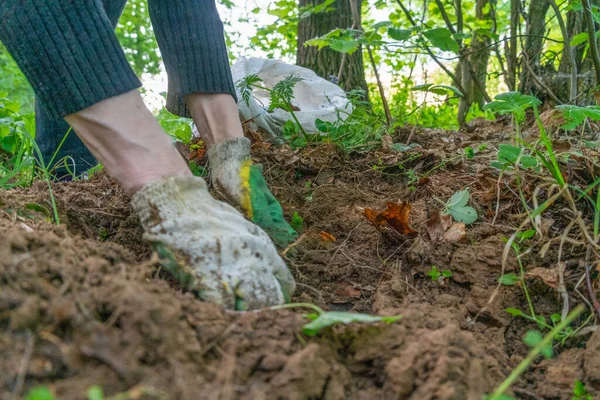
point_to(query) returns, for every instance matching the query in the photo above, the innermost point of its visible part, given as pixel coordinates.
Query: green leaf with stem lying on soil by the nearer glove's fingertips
(322, 319)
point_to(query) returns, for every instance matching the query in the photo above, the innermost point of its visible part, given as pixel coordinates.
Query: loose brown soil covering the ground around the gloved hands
(84, 303)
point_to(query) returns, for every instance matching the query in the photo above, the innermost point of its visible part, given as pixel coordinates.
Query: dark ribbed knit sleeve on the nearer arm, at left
(67, 50)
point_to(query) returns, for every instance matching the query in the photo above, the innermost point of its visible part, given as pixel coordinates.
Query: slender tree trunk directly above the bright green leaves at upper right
(536, 24)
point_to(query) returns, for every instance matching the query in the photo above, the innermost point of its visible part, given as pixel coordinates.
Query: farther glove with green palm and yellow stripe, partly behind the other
(234, 175)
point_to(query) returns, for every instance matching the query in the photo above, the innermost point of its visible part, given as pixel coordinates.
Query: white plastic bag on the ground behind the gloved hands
(314, 96)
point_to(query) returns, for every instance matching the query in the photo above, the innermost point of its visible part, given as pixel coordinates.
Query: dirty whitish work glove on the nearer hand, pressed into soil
(209, 247)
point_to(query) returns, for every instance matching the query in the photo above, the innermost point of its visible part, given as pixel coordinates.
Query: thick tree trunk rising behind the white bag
(326, 62)
